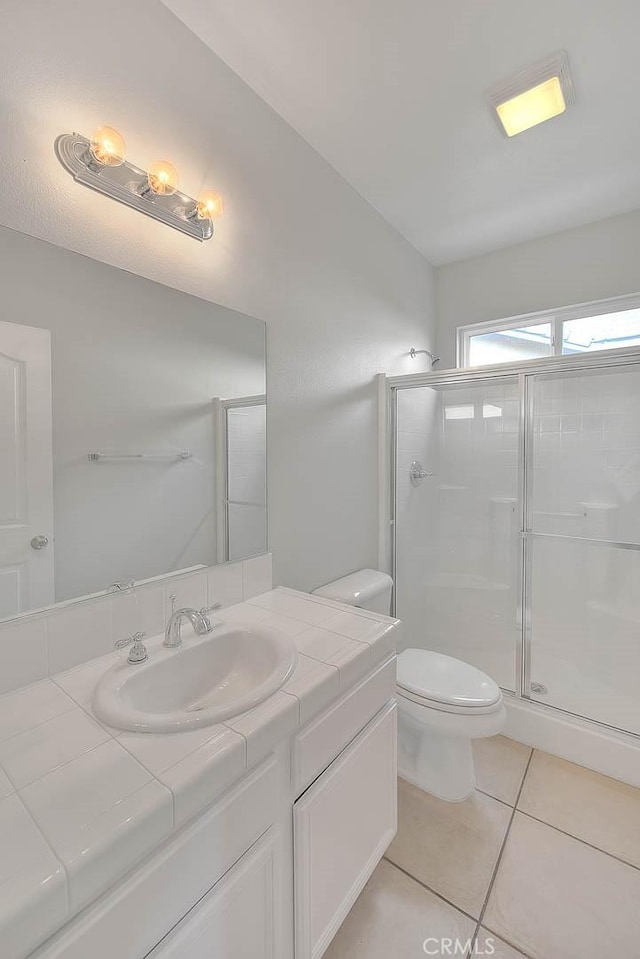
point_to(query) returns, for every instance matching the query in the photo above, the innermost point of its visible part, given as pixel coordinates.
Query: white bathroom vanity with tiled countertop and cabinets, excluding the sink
(250, 838)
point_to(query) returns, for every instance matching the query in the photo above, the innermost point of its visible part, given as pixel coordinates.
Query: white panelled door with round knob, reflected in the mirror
(26, 475)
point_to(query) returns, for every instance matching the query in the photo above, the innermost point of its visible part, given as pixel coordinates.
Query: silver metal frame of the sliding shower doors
(524, 371)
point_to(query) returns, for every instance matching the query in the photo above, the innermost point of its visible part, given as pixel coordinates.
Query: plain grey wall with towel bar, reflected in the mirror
(135, 367)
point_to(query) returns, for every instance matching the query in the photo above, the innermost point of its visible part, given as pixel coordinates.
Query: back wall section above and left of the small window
(590, 263)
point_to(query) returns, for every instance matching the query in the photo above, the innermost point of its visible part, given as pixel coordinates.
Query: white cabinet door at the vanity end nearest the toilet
(342, 826)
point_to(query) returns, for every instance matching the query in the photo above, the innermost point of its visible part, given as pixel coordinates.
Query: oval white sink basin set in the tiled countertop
(206, 680)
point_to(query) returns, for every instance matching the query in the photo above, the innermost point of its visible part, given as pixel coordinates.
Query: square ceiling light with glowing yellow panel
(533, 95)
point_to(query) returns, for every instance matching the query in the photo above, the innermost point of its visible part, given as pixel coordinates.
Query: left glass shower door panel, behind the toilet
(458, 568)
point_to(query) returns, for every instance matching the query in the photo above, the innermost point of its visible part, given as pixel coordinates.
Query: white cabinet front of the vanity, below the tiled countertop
(271, 869)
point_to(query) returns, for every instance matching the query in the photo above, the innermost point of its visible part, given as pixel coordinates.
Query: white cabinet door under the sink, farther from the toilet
(235, 920)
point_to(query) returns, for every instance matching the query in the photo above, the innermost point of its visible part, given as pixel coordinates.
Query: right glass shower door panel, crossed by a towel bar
(583, 544)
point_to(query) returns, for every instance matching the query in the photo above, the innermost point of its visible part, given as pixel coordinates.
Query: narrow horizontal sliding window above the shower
(607, 325)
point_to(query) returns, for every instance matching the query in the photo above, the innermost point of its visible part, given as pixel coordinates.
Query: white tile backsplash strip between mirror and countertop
(42, 643)
